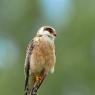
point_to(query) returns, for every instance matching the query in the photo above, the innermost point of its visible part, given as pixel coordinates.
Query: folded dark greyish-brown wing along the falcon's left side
(27, 63)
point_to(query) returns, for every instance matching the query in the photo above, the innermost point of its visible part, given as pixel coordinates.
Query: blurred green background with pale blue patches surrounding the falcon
(74, 21)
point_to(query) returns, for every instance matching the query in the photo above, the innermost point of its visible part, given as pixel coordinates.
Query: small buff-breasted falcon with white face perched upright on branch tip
(40, 59)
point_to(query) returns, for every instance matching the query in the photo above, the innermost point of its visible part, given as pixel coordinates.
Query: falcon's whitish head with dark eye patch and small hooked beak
(47, 31)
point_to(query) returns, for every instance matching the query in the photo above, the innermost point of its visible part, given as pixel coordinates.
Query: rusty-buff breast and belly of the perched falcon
(43, 56)
